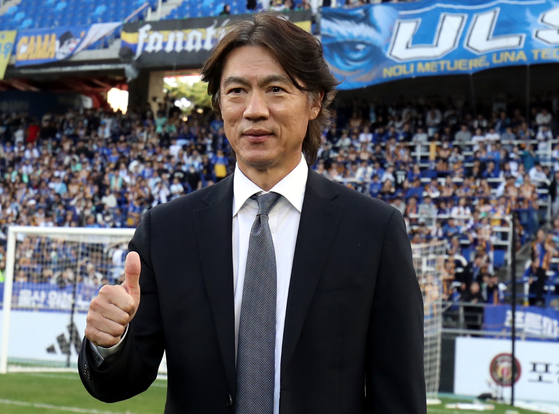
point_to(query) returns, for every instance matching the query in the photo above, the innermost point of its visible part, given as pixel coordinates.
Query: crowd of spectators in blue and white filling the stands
(454, 176)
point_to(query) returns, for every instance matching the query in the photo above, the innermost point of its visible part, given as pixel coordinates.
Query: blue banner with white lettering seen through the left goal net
(50, 297)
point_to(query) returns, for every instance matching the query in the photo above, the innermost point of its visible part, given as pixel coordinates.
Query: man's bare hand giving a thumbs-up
(115, 306)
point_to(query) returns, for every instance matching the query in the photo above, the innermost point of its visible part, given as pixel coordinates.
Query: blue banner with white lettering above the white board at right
(530, 320)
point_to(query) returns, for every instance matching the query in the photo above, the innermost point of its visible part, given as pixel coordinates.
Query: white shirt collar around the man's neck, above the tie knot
(291, 187)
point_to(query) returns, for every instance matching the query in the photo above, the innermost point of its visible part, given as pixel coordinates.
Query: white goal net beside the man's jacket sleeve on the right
(429, 261)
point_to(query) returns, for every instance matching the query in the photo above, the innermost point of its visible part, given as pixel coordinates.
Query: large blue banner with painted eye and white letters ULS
(378, 43)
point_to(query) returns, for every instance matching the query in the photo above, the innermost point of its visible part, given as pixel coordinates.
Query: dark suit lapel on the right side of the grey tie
(320, 217)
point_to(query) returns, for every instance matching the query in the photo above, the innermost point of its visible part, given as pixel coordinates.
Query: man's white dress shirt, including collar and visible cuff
(284, 225)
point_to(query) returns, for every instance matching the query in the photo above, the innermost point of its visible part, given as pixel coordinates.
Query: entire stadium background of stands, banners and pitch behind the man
(448, 110)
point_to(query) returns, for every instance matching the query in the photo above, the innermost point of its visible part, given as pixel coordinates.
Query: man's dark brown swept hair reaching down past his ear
(298, 52)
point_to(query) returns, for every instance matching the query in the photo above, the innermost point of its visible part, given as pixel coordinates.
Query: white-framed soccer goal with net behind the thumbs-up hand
(51, 276)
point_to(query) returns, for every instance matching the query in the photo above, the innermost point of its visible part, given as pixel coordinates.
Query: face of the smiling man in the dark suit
(265, 116)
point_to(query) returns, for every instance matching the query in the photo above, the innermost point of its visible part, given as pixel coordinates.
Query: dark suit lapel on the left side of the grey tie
(214, 238)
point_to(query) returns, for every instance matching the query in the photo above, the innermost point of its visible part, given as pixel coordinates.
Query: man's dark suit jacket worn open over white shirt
(353, 339)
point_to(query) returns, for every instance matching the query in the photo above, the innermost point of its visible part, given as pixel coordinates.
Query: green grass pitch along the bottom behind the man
(62, 393)
